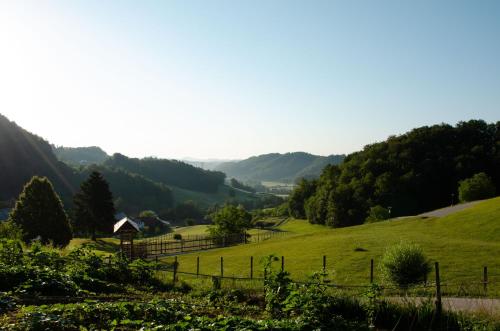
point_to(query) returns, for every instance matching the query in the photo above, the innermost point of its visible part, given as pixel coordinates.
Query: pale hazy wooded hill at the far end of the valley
(279, 167)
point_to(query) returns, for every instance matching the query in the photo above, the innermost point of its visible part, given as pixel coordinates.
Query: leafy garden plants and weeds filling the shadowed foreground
(50, 289)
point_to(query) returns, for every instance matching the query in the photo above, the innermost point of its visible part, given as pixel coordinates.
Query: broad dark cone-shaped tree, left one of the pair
(40, 213)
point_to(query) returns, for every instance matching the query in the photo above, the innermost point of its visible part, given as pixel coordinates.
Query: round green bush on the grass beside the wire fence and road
(405, 264)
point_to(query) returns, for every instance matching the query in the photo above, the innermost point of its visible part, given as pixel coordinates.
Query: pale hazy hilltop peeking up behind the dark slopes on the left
(81, 155)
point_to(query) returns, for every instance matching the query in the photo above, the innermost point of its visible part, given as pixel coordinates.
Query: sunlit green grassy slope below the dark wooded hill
(463, 243)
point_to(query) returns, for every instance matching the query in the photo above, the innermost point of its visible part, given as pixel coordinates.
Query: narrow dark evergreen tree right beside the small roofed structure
(94, 207)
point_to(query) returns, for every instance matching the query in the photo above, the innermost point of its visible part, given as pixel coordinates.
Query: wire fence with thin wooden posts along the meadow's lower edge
(481, 287)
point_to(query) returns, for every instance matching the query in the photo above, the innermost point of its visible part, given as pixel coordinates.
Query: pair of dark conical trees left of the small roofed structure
(39, 213)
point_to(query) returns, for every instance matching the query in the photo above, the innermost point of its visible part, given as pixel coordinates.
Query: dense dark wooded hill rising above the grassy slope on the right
(412, 173)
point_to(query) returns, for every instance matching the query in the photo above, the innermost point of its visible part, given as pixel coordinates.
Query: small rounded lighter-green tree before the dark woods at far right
(479, 186)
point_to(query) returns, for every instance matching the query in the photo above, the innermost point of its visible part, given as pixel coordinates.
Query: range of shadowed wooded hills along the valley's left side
(136, 184)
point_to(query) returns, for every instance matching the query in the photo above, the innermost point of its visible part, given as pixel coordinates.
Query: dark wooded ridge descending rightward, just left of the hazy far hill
(170, 172)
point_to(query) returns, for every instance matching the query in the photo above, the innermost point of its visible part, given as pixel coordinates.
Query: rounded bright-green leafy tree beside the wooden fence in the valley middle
(230, 220)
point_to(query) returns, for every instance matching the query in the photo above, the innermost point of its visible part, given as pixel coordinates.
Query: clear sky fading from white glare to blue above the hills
(230, 79)
